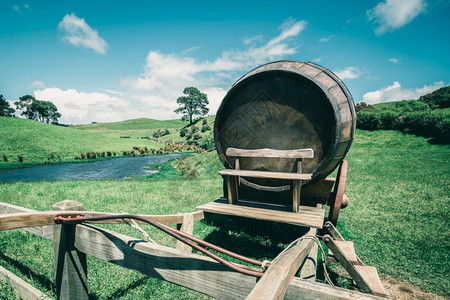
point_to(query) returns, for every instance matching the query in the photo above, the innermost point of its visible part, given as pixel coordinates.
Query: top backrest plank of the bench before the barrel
(271, 153)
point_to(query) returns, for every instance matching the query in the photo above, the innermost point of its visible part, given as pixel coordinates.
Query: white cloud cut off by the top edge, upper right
(393, 14)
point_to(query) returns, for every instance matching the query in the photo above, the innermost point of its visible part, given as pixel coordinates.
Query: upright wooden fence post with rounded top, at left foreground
(70, 264)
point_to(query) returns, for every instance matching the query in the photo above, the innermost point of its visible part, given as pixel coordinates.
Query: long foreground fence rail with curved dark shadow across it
(190, 270)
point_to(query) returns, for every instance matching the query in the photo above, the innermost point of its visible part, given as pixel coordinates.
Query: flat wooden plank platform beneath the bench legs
(307, 215)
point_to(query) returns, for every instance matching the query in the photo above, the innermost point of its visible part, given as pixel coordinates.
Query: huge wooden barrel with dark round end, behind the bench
(286, 105)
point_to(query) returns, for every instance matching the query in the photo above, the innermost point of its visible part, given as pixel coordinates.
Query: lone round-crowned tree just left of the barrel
(193, 104)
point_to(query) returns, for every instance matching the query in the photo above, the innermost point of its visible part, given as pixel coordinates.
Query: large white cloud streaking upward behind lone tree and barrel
(166, 75)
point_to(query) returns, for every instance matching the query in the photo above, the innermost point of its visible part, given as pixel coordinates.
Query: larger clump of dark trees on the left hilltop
(39, 110)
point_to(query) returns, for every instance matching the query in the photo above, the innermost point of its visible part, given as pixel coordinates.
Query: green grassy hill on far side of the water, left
(38, 142)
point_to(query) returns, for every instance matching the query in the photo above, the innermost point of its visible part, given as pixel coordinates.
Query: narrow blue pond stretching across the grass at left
(116, 168)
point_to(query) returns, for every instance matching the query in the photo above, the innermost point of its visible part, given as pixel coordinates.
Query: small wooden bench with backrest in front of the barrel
(232, 176)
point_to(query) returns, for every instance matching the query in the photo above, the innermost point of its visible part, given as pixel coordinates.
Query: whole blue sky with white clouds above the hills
(115, 60)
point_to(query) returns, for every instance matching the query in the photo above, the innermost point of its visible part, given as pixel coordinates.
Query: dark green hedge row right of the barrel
(433, 124)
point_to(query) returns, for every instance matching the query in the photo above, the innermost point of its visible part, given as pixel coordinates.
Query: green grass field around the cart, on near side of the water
(397, 217)
